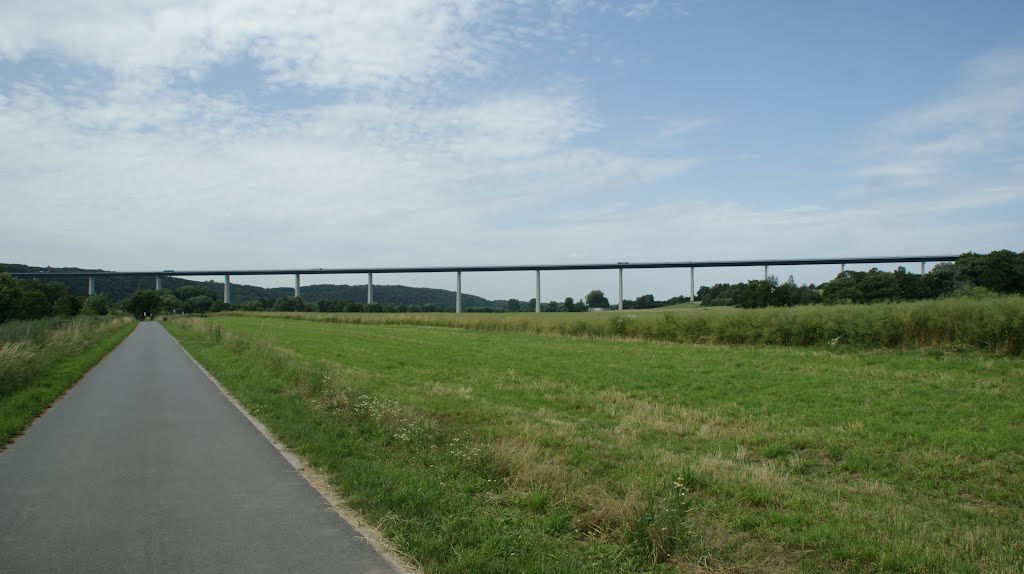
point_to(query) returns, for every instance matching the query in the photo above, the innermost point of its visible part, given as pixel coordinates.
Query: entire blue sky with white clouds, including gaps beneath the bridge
(177, 135)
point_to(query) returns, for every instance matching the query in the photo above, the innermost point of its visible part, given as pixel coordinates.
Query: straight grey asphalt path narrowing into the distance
(146, 467)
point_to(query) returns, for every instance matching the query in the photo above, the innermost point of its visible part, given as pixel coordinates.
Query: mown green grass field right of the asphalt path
(483, 452)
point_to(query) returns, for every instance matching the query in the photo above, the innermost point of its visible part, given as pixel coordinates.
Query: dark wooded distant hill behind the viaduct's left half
(119, 289)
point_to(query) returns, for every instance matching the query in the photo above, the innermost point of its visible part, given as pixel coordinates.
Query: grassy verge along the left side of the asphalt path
(40, 360)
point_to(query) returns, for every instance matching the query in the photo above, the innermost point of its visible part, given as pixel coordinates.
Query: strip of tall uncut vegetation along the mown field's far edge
(993, 325)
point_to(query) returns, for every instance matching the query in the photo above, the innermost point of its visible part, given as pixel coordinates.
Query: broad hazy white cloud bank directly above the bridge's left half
(215, 173)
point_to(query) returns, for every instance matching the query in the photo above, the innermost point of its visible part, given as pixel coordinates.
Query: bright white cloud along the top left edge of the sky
(315, 43)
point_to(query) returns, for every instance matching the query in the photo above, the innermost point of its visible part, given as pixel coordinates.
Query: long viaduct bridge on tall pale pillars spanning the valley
(370, 272)
